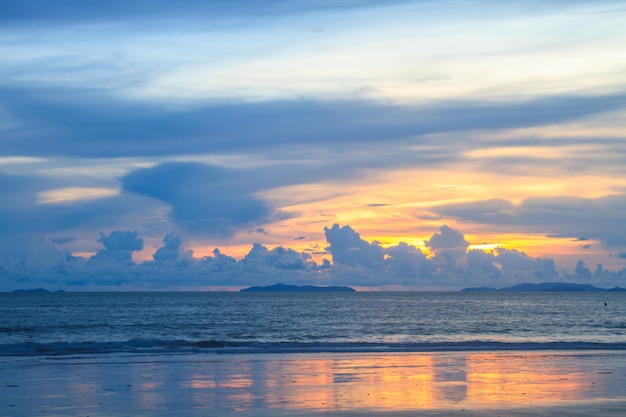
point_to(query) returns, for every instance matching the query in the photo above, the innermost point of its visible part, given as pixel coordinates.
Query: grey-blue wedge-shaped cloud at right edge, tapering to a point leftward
(576, 217)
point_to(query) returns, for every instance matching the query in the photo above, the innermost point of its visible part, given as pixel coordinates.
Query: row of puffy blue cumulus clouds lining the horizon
(355, 262)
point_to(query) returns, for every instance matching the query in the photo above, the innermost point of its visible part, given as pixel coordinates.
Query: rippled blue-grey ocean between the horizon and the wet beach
(55, 324)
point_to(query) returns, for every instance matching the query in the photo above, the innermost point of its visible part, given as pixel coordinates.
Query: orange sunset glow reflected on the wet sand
(407, 381)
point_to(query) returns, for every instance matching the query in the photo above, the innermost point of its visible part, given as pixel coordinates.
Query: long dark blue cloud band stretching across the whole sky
(84, 124)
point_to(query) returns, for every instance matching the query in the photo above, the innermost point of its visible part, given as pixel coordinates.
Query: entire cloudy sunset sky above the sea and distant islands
(383, 145)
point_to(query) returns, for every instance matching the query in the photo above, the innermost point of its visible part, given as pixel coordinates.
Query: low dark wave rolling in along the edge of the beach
(159, 346)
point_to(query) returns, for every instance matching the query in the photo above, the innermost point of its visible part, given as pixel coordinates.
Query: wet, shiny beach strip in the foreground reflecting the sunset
(507, 383)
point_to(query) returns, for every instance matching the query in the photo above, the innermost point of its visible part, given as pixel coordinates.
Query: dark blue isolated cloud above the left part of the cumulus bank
(204, 199)
